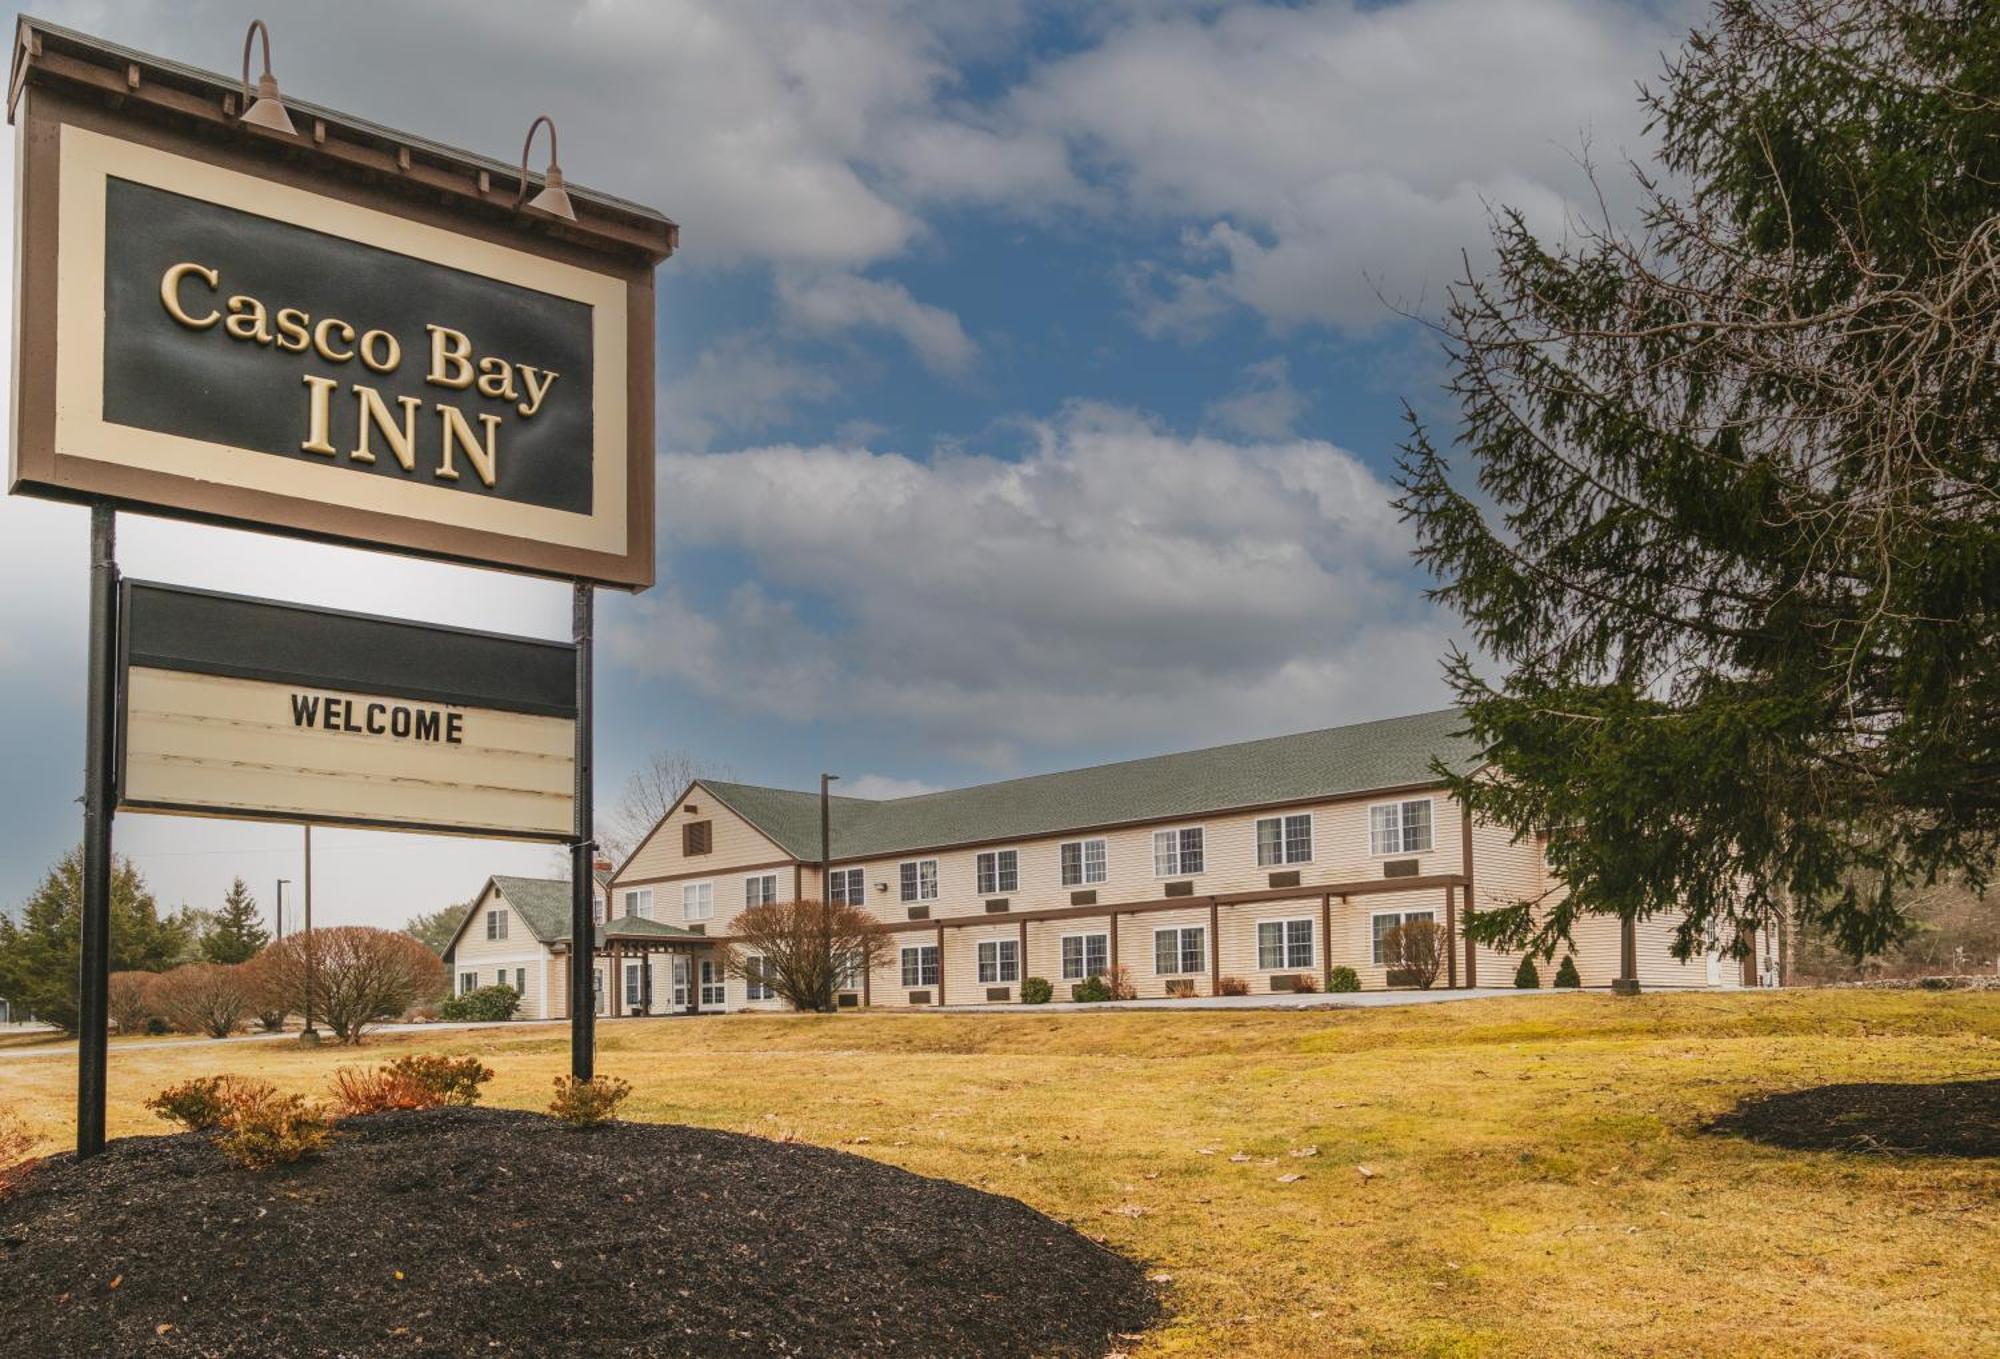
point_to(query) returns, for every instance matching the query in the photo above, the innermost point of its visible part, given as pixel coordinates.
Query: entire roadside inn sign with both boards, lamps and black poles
(285, 319)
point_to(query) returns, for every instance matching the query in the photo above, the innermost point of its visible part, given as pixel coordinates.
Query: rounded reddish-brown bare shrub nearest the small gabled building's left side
(359, 976)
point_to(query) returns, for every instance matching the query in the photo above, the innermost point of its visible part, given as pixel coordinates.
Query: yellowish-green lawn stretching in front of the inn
(1539, 1186)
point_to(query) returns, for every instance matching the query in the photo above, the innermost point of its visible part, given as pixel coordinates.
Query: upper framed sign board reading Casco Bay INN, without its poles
(253, 331)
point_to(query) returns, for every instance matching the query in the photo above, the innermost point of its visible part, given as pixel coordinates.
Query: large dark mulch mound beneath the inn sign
(519, 1236)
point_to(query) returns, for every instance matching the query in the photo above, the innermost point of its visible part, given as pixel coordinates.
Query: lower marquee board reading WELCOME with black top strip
(255, 708)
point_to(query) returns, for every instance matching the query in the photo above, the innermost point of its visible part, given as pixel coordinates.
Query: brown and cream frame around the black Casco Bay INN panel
(69, 81)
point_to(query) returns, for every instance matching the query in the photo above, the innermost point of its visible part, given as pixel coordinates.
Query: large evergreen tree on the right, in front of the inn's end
(1737, 533)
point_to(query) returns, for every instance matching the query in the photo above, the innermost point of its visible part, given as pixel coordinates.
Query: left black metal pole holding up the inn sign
(101, 716)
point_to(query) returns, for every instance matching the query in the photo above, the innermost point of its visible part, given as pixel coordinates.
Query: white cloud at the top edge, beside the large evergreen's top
(1327, 155)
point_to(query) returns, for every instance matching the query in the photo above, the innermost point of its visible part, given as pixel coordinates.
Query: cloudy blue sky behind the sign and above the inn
(1029, 393)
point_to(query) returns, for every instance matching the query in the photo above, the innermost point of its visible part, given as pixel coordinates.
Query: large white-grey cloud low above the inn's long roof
(1115, 585)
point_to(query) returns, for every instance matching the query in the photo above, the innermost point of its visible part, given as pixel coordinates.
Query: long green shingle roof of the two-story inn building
(1333, 762)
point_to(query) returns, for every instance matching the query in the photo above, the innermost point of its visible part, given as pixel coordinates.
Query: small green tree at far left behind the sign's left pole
(41, 948)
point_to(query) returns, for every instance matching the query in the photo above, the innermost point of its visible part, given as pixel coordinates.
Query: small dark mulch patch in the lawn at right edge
(1953, 1118)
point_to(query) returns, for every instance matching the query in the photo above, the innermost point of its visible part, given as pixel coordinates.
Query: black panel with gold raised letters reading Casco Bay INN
(235, 329)
